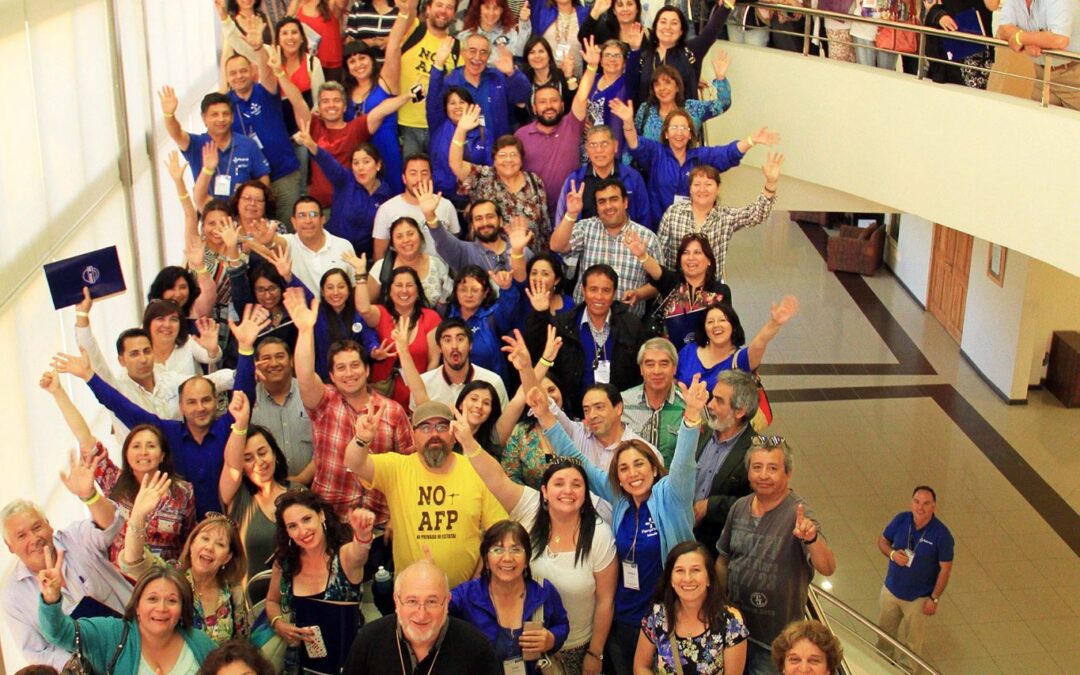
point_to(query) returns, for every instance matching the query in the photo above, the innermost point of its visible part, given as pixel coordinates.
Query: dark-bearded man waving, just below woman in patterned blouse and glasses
(490, 249)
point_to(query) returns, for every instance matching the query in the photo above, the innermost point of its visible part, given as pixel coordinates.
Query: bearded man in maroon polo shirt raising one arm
(553, 142)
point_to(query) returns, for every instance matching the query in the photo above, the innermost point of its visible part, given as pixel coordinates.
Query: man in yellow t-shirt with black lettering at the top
(416, 60)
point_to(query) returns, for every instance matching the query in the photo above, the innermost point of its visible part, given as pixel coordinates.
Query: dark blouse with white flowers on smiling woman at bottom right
(703, 654)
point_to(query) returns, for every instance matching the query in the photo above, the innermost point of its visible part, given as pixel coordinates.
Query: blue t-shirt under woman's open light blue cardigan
(631, 606)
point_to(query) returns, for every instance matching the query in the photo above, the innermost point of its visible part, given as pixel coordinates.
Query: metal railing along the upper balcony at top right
(1050, 57)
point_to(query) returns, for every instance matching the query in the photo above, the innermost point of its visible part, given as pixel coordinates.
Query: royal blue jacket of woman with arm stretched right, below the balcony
(669, 179)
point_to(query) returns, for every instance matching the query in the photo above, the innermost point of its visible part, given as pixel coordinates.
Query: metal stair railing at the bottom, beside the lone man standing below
(846, 623)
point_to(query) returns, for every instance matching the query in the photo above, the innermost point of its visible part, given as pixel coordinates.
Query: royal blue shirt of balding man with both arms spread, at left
(200, 464)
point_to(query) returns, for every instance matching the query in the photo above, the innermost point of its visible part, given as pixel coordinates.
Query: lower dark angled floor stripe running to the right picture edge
(1046, 502)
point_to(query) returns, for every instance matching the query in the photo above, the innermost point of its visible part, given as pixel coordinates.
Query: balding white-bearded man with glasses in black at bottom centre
(426, 640)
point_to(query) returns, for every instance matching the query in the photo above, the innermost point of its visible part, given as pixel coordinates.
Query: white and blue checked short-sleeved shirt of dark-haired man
(595, 246)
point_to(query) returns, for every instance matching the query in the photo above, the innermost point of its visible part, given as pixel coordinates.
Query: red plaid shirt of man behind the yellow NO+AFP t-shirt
(332, 429)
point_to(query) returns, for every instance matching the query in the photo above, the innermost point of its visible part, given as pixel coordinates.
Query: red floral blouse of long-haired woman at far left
(170, 524)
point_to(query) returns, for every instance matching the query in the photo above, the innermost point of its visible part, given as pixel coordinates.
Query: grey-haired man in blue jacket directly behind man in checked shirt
(602, 148)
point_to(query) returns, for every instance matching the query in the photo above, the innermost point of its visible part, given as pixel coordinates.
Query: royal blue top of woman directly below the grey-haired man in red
(353, 209)
